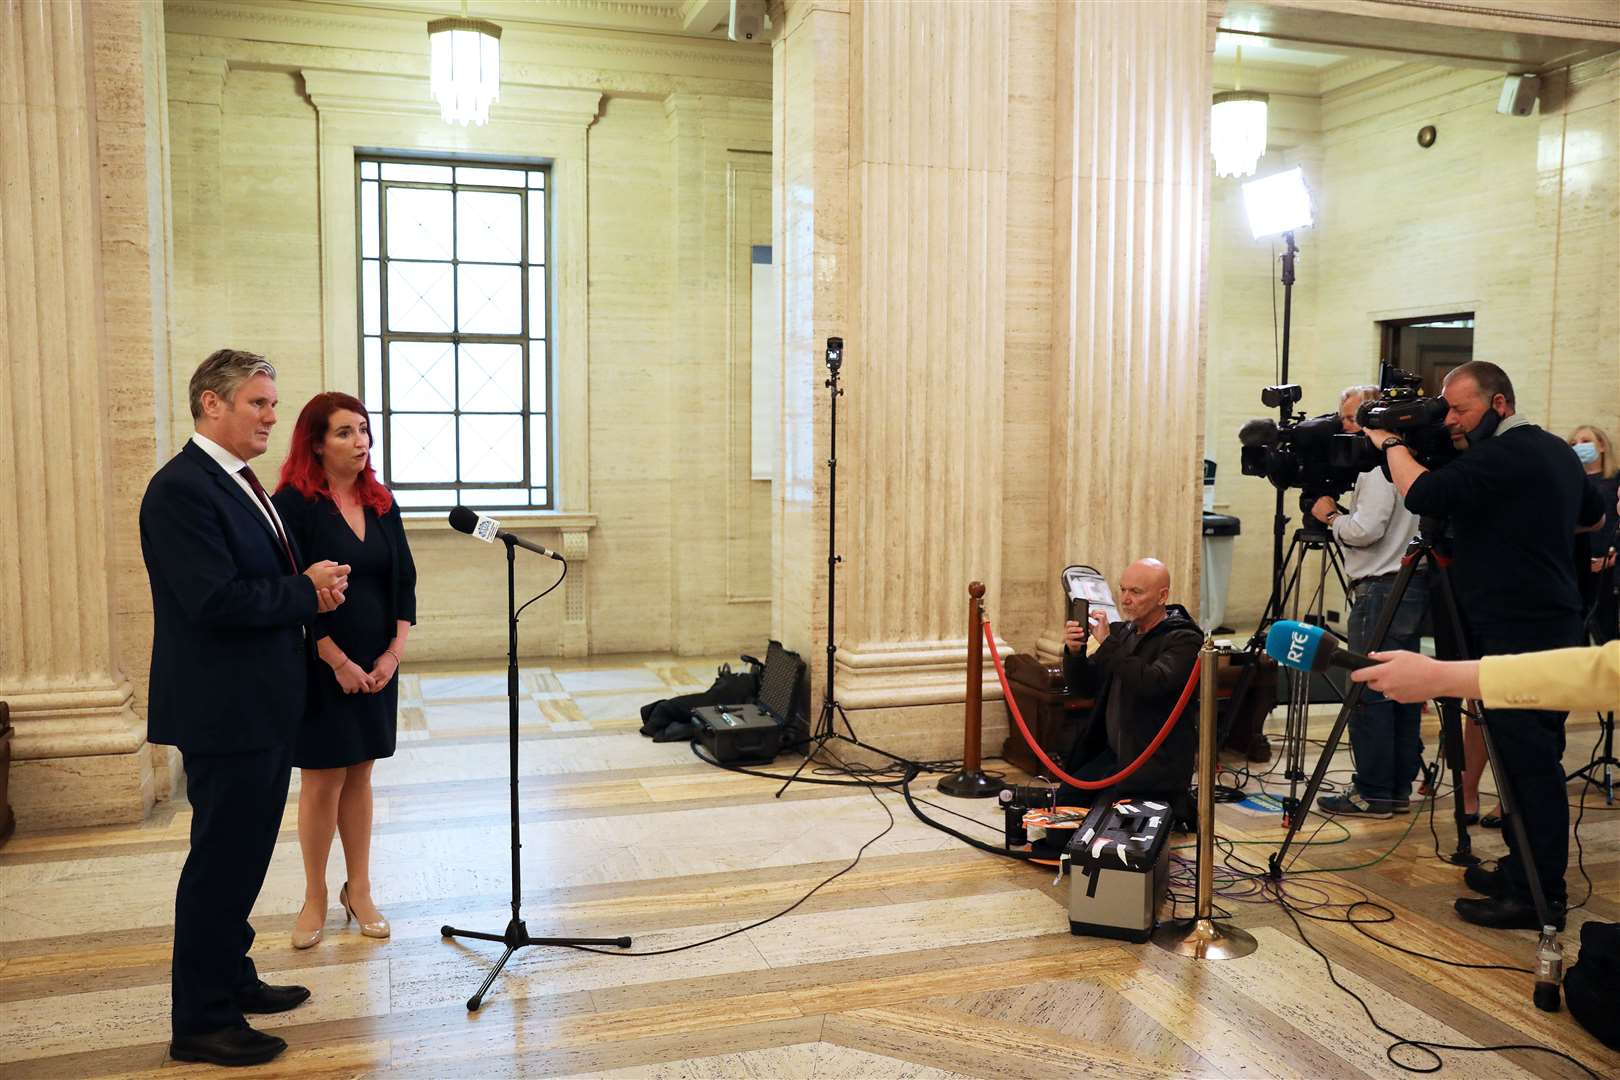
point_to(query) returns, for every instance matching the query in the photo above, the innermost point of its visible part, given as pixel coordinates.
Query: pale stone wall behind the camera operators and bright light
(1514, 219)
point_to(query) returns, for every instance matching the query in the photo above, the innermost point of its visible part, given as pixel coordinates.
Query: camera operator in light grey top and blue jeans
(1384, 736)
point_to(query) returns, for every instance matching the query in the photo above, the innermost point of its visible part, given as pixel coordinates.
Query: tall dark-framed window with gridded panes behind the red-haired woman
(454, 331)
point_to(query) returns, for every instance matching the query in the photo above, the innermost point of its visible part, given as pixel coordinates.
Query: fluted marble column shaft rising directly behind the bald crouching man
(1130, 205)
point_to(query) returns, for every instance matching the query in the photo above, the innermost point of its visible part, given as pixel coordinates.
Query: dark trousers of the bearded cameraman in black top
(1530, 760)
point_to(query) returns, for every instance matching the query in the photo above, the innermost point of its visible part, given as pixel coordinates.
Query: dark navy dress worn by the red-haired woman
(341, 729)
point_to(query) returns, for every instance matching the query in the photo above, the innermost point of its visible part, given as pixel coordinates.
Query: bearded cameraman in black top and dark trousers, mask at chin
(1516, 501)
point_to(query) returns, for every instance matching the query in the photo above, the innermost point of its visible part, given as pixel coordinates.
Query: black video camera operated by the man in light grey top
(1298, 451)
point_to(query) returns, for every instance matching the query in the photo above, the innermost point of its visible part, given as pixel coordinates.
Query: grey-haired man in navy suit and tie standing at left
(229, 655)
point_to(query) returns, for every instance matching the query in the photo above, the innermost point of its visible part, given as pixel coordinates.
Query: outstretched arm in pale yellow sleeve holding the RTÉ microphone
(1556, 679)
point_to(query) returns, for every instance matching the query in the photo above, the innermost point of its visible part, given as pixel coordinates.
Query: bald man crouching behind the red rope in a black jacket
(1135, 671)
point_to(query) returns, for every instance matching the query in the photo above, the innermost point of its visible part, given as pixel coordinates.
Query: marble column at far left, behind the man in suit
(80, 744)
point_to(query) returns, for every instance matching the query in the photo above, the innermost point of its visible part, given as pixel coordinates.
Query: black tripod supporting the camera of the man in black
(1451, 645)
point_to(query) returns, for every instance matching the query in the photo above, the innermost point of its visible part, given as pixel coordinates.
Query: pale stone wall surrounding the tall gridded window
(660, 158)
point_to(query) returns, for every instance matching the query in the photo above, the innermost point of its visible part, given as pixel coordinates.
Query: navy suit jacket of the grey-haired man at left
(229, 645)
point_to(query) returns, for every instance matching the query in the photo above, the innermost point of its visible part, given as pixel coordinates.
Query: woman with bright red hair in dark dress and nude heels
(331, 503)
